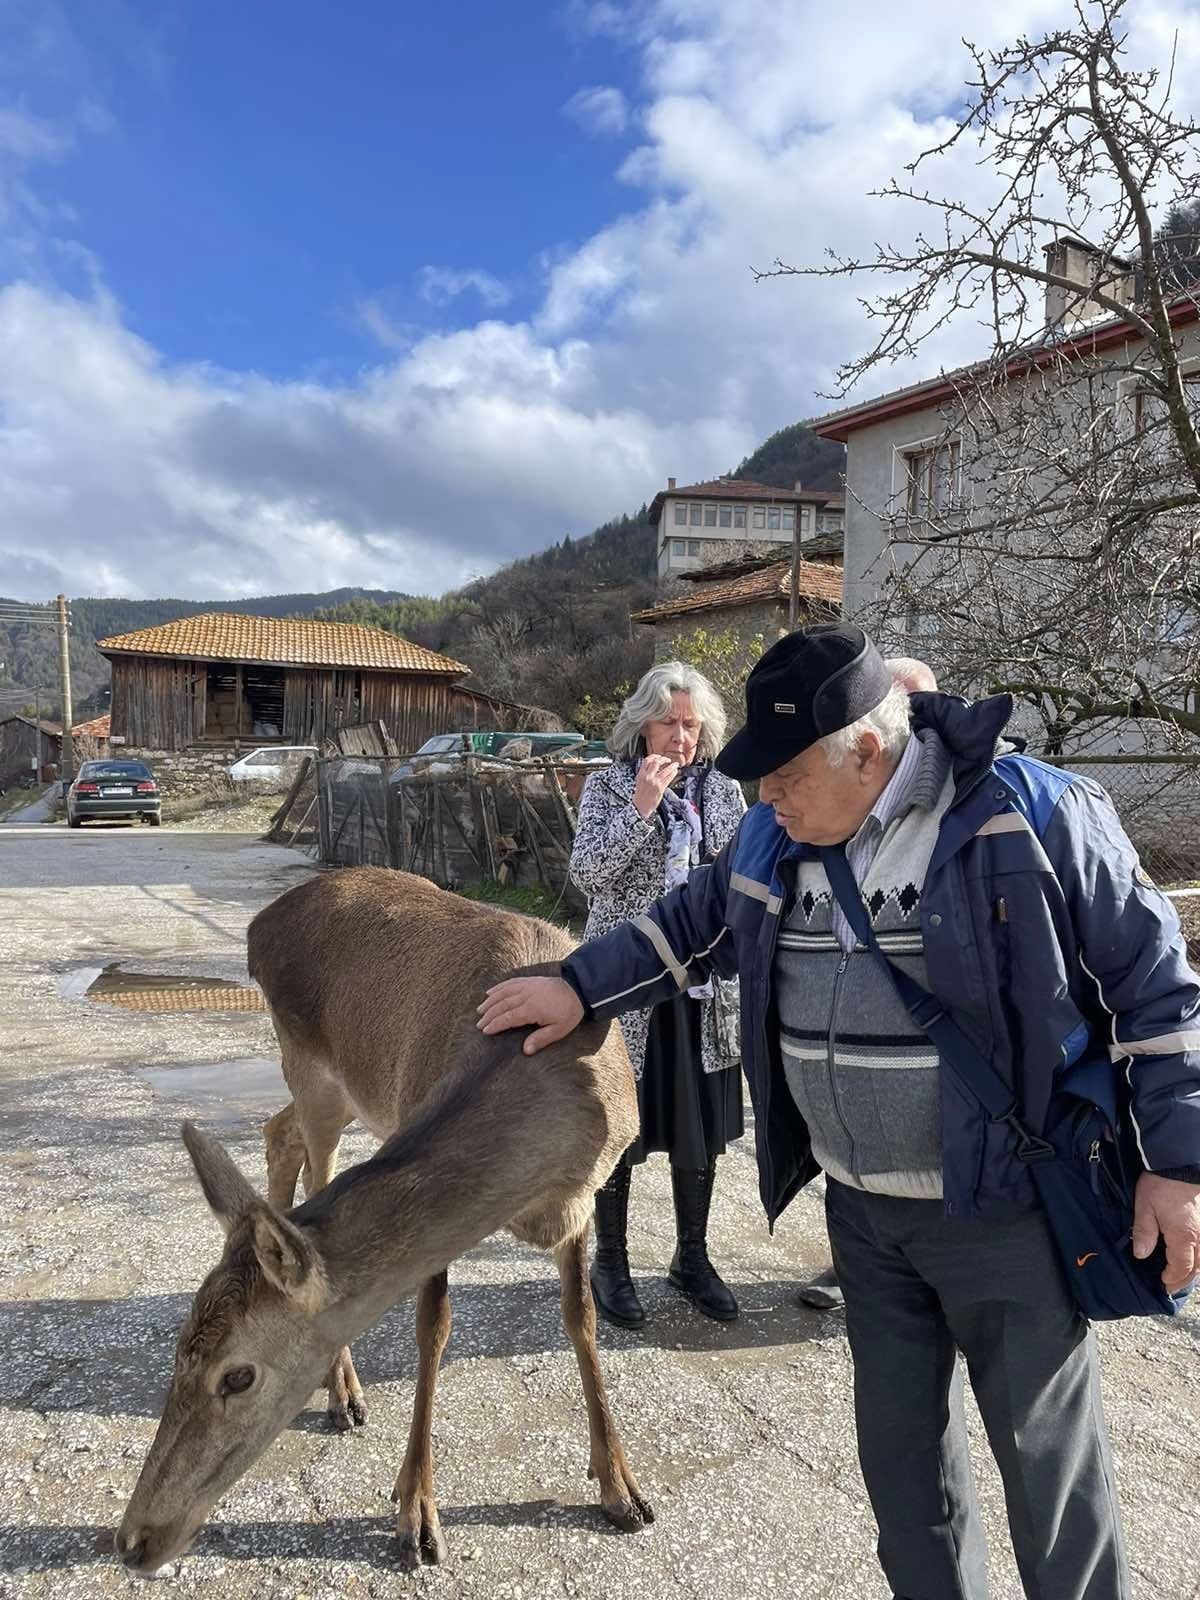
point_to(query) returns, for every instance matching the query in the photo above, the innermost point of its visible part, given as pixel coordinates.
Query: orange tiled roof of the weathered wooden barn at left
(223, 636)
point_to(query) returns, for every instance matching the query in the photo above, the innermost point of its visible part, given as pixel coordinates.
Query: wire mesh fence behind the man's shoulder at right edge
(1158, 799)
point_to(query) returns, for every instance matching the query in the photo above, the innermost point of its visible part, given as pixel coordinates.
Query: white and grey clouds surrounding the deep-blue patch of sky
(650, 350)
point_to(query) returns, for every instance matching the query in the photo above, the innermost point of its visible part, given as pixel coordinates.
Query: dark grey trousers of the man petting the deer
(919, 1286)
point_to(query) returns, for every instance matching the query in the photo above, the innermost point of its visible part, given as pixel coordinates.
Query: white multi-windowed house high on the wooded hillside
(708, 522)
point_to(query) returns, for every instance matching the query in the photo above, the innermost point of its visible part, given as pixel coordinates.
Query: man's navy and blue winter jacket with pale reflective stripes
(1044, 942)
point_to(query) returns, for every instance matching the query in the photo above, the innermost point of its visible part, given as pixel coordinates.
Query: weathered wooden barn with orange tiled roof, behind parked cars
(218, 679)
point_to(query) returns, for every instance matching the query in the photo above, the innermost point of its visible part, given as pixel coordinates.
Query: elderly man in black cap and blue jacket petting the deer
(1010, 890)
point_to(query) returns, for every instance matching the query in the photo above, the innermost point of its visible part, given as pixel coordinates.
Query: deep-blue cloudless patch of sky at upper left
(271, 167)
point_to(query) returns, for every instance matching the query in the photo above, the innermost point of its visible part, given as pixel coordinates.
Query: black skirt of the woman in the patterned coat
(687, 1113)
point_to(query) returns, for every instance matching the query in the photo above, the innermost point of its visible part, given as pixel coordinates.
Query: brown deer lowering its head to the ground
(372, 980)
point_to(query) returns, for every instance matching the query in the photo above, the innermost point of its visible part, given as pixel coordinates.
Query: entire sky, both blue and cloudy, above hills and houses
(295, 297)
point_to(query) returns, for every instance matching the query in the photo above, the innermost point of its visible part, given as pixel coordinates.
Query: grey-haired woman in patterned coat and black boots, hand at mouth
(646, 823)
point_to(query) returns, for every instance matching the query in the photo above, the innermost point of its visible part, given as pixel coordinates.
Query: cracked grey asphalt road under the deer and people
(742, 1436)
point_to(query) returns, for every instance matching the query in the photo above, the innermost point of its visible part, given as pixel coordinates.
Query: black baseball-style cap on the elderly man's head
(810, 684)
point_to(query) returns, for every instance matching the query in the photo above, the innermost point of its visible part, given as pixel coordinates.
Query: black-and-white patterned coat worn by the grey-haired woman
(620, 862)
